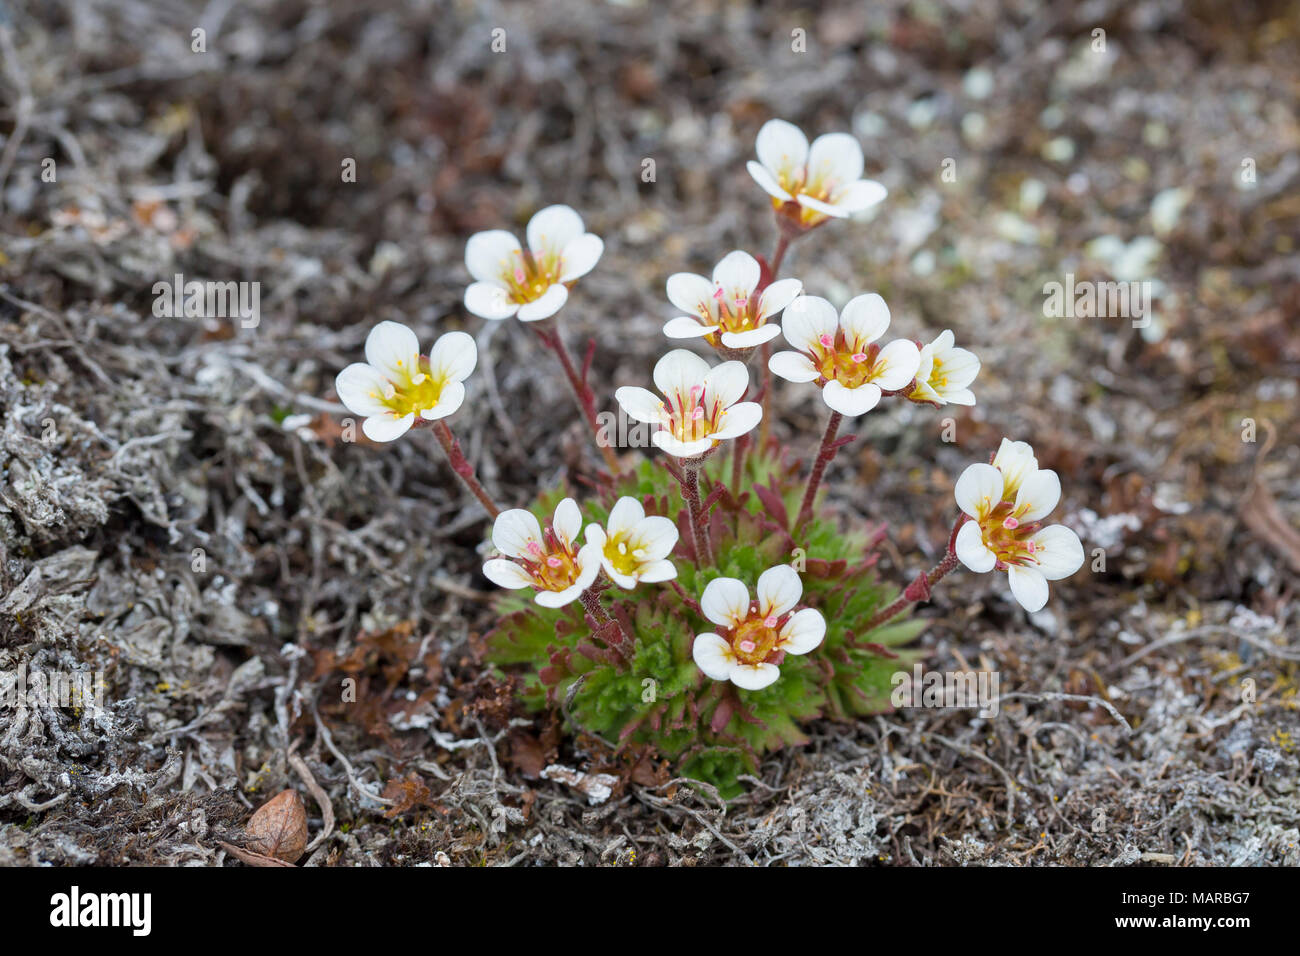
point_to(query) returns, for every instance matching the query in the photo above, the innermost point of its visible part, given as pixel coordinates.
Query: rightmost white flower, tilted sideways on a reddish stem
(1007, 501)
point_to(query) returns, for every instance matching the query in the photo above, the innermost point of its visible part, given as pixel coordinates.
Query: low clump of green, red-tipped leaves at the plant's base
(660, 702)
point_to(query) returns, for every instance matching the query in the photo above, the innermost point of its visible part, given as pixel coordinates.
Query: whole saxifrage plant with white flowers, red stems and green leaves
(713, 605)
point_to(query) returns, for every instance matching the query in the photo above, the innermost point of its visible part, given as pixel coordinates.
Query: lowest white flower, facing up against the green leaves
(755, 637)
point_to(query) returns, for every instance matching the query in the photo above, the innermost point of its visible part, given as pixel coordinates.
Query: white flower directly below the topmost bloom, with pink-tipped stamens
(726, 309)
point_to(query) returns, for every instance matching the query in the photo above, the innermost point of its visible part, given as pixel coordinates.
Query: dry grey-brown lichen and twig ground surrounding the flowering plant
(196, 526)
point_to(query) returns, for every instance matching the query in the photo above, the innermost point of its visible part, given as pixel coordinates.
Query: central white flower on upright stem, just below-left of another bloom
(703, 404)
